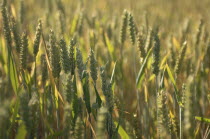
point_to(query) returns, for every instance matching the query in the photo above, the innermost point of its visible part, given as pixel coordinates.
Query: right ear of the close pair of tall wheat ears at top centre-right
(132, 30)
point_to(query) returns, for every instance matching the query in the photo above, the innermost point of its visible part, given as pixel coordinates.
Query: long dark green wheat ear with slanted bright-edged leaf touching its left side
(156, 53)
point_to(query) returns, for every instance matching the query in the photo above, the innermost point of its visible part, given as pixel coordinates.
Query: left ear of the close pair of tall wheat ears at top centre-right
(123, 27)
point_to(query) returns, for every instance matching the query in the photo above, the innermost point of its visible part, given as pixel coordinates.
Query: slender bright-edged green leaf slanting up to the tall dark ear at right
(141, 71)
